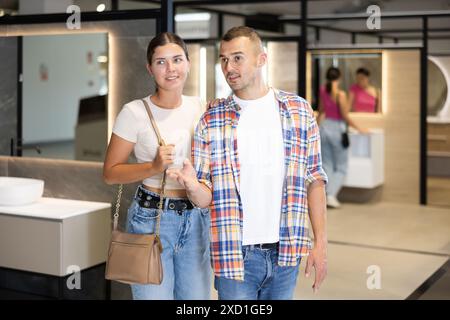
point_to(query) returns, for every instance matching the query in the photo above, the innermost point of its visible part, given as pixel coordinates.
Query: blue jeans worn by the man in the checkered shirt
(264, 279)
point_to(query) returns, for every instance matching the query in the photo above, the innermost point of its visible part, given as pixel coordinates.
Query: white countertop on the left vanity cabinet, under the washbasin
(54, 208)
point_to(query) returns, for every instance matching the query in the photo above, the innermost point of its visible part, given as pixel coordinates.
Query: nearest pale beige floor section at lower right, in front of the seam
(399, 274)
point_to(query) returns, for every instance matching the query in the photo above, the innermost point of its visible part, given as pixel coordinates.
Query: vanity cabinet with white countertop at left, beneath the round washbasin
(54, 248)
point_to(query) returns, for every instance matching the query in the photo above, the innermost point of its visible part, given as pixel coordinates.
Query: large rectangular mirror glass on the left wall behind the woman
(64, 96)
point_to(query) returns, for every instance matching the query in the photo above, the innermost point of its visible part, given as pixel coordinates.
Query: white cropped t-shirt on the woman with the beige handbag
(176, 127)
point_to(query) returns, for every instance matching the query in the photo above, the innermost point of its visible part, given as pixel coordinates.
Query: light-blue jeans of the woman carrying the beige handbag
(185, 257)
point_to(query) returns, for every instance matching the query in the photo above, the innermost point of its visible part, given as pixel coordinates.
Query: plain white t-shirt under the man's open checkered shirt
(262, 169)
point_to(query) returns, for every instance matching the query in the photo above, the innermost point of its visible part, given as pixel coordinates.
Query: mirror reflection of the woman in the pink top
(364, 97)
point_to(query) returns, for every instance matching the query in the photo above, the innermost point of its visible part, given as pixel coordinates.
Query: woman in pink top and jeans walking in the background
(333, 120)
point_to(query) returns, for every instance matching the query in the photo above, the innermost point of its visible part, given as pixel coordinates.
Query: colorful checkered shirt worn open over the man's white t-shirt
(215, 157)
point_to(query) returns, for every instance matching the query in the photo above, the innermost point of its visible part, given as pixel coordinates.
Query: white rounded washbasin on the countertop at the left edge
(20, 191)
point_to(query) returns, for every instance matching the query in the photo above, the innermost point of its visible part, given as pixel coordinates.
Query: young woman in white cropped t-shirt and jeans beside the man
(184, 228)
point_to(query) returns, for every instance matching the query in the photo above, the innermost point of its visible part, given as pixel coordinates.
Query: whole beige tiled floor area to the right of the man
(405, 243)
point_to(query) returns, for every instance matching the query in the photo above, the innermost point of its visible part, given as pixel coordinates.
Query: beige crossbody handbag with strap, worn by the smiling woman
(136, 258)
